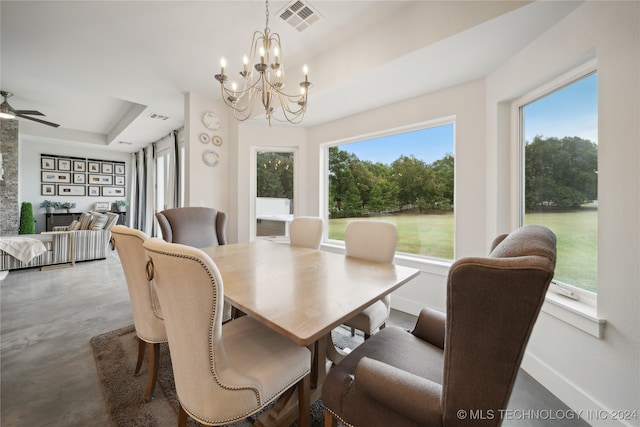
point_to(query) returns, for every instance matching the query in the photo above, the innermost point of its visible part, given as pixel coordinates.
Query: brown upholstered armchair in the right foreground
(464, 360)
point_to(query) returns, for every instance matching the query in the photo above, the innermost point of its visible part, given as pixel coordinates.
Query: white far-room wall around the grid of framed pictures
(29, 170)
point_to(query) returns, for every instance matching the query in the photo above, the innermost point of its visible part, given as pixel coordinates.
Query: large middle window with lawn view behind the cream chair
(406, 178)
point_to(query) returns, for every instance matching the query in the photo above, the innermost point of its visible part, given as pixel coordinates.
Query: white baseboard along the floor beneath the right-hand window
(590, 410)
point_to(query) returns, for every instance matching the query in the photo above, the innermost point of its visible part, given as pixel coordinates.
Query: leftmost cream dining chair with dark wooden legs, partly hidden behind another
(147, 315)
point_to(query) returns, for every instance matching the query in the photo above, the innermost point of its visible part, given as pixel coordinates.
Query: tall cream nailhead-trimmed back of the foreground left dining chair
(191, 290)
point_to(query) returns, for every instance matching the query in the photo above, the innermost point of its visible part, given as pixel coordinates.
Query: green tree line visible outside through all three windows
(561, 174)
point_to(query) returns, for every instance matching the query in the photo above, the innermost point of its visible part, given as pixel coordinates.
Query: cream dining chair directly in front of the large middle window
(376, 241)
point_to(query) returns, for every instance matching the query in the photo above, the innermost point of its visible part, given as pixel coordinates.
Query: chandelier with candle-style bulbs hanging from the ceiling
(265, 80)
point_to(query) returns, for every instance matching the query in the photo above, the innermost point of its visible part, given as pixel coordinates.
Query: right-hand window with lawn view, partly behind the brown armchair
(559, 135)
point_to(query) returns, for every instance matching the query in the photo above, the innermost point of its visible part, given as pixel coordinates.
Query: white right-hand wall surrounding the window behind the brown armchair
(582, 370)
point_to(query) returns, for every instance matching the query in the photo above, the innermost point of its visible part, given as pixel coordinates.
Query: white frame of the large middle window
(432, 264)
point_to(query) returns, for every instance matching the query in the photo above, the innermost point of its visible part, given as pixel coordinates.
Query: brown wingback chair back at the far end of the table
(199, 227)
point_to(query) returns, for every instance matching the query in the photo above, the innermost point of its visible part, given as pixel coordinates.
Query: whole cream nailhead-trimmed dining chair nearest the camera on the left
(223, 373)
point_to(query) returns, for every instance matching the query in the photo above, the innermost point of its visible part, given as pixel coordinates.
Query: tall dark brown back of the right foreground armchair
(492, 305)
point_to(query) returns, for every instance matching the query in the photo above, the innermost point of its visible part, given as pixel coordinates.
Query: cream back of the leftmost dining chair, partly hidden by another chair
(147, 314)
